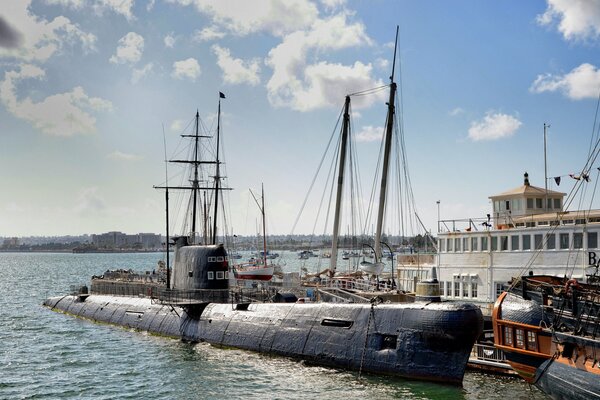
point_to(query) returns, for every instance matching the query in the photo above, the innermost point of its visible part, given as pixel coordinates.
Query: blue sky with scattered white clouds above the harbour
(90, 90)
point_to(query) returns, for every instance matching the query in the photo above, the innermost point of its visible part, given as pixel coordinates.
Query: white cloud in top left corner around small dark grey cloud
(40, 39)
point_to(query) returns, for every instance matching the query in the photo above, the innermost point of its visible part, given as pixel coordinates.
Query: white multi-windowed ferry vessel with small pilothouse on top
(527, 231)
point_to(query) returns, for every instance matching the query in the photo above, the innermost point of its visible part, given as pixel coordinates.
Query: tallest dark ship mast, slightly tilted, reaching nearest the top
(386, 155)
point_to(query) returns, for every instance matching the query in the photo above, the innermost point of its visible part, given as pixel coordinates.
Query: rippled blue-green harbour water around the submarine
(48, 355)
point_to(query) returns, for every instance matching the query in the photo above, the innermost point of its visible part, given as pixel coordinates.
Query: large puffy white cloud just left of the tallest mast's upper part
(305, 87)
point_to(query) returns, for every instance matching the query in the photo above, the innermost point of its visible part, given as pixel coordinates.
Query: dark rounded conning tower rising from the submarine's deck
(200, 273)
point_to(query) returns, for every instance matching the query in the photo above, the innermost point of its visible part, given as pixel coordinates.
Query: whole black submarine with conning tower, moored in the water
(427, 340)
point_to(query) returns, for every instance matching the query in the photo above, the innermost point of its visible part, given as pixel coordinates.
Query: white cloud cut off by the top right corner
(579, 19)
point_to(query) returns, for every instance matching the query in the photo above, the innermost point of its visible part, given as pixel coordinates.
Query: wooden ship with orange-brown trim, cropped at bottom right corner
(549, 330)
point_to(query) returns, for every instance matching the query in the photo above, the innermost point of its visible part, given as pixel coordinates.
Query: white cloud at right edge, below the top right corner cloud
(582, 82)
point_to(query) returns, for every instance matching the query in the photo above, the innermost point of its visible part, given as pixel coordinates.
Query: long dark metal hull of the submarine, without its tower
(429, 341)
